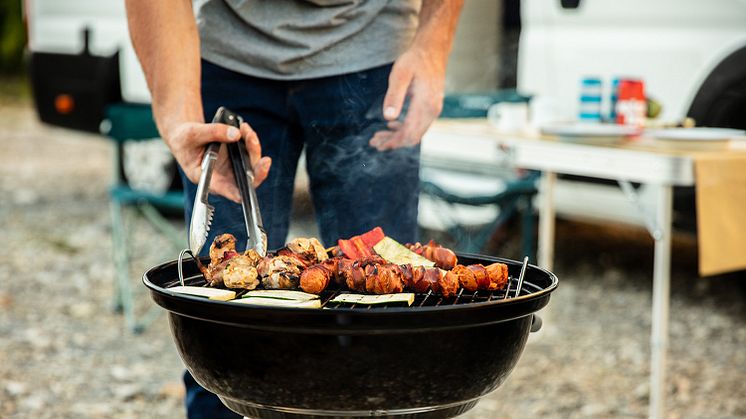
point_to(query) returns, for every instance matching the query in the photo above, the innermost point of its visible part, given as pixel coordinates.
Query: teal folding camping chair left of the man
(126, 123)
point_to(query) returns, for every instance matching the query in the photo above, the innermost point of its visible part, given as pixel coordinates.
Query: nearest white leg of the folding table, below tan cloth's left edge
(661, 298)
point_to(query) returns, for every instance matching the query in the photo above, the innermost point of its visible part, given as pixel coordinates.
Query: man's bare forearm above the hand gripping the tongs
(165, 38)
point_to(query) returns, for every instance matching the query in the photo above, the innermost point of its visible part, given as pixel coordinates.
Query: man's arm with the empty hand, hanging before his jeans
(420, 73)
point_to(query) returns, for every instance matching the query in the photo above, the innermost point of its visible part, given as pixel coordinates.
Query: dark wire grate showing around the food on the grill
(428, 299)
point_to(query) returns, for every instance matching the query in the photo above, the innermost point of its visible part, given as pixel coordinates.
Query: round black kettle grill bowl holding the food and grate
(425, 362)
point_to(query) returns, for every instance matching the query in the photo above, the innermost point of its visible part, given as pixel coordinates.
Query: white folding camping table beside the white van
(641, 160)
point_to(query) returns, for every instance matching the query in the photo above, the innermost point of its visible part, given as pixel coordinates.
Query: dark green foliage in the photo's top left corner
(12, 36)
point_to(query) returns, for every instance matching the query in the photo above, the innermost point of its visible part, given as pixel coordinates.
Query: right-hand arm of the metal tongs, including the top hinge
(244, 174)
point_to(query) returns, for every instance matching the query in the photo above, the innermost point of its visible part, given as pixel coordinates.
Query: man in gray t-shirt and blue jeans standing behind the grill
(330, 76)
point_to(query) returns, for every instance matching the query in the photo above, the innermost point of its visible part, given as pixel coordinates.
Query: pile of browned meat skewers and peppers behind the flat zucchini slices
(385, 267)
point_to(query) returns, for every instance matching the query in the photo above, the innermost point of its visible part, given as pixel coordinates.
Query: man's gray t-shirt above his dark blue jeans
(301, 39)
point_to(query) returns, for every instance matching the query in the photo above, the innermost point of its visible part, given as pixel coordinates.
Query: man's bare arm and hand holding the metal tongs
(164, 34)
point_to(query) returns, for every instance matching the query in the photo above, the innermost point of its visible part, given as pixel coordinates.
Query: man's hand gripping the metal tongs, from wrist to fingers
(188, 140)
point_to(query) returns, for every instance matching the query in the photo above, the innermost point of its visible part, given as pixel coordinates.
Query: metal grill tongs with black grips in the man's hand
(202, 211)
